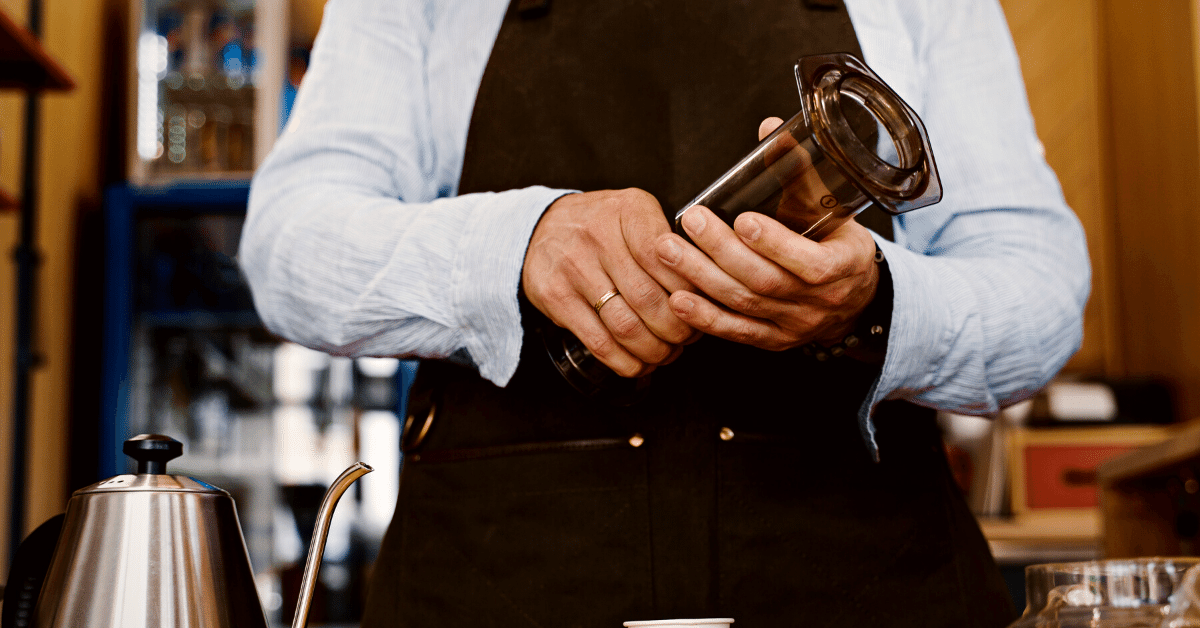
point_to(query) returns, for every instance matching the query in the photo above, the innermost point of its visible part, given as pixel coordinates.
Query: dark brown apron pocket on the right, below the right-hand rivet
(805, 536)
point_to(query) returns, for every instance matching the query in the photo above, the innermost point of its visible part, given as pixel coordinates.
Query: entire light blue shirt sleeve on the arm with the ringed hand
(355, 242)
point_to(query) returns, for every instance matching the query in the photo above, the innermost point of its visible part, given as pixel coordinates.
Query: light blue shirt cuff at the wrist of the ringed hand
(488, 276)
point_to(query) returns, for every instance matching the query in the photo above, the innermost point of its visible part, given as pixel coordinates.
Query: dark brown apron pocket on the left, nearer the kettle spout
(551, 537)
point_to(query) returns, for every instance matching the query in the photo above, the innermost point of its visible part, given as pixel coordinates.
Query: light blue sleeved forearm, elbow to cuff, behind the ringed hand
(339, 267)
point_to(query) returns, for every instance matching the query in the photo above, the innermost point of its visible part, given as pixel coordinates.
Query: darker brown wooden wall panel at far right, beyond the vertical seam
(1155, 152)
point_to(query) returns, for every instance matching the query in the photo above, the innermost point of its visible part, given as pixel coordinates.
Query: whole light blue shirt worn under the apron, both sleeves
(356, 243)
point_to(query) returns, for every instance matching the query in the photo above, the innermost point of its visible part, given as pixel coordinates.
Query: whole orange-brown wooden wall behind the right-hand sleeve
(1114, 91)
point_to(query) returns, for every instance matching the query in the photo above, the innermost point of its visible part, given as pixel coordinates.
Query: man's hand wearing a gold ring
(591, 243)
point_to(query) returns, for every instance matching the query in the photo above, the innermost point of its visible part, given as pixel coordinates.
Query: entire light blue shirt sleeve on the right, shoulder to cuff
(991, 284)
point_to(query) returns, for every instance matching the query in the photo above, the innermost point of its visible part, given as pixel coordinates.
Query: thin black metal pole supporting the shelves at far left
(28, 260)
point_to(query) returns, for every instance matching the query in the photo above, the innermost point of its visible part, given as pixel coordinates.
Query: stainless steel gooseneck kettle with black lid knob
(157, 551)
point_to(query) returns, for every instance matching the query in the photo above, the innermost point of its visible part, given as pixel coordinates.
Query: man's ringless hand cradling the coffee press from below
(779, 290)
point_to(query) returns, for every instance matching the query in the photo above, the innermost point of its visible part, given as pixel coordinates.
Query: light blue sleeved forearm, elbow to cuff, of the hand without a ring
(992, 316)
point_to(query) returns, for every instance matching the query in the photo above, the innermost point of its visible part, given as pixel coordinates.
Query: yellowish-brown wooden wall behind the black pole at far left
(69, 176)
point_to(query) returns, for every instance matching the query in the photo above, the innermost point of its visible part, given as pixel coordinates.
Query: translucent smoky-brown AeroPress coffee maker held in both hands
(854, 143)
